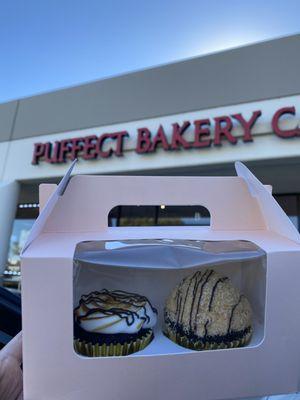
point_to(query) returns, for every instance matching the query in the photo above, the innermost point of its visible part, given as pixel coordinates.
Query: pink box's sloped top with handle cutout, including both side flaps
(240, 203)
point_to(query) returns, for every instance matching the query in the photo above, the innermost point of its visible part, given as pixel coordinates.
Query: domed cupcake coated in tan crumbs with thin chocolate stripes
(205, 311)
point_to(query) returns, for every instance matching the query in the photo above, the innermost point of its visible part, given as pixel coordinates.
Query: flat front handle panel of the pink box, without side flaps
(87, 200)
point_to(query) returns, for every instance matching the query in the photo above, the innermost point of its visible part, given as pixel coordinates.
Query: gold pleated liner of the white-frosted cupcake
(104, 350)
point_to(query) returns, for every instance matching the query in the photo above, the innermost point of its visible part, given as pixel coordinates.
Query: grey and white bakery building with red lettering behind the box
(194, 117)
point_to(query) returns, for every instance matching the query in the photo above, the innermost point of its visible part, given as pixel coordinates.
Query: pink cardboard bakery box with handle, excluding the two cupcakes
(76, 212)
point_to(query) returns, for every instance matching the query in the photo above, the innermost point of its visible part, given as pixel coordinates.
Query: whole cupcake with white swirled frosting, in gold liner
(113, 323)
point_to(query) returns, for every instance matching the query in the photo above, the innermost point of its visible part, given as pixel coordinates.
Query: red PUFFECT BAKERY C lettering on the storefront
(206, 133)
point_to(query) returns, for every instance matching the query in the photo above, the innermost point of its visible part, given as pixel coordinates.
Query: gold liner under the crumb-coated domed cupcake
(199, 345)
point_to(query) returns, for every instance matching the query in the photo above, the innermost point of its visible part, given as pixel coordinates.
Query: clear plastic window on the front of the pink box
(156, 270)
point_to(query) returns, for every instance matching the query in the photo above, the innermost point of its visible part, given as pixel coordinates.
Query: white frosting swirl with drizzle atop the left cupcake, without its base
(113, 312)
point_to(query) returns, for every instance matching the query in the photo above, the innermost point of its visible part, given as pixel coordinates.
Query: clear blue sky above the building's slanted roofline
(51, 44)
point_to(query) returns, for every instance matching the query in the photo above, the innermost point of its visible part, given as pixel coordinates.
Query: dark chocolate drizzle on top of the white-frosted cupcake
(123, 304)
